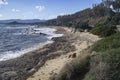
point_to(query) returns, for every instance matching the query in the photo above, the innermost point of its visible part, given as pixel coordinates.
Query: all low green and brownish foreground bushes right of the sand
(103, 65)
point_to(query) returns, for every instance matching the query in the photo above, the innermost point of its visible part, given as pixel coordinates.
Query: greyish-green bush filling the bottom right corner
(105, 66)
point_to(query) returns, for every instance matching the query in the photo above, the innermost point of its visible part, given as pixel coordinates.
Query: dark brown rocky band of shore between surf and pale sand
(22, 67)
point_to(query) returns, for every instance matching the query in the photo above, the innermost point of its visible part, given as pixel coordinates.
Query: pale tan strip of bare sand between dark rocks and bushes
(81, 41)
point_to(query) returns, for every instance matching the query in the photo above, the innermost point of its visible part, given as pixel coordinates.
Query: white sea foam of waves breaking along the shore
(50, 34)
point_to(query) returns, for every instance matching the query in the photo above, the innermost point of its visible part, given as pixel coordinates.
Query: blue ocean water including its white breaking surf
(16, 40)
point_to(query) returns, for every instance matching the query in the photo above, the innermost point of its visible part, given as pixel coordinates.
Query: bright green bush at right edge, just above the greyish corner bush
(108, 43)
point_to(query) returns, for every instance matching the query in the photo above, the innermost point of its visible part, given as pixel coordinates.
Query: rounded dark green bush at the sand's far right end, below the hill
(103, 30)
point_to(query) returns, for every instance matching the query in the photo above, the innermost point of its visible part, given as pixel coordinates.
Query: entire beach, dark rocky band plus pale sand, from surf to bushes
(48, 60)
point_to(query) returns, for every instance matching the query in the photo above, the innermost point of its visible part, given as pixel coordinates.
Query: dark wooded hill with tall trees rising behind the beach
(99, 14)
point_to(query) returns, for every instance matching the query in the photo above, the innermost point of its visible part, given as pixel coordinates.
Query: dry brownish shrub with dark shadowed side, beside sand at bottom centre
(75, 70)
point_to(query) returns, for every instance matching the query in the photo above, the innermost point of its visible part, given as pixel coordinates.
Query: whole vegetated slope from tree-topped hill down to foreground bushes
(103, 58)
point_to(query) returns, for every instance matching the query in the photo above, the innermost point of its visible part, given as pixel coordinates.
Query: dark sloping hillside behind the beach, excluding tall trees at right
(88, 15)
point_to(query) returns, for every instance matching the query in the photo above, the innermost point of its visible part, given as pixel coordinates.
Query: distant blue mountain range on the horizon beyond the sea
(22, 21)
